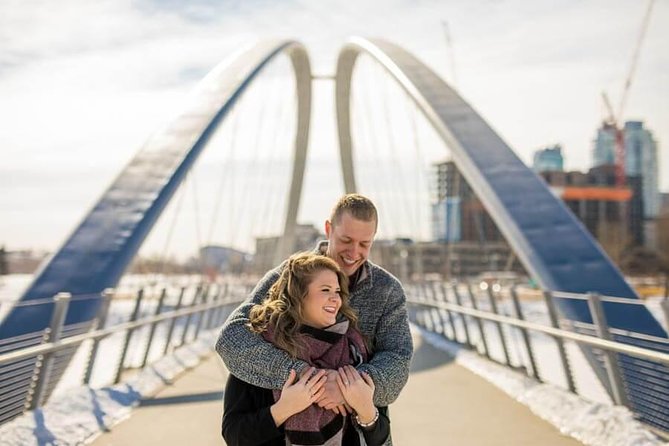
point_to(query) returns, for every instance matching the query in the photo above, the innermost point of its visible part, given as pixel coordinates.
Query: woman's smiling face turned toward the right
(323, 301)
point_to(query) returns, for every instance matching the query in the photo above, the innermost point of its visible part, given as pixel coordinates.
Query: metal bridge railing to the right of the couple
(480, 325)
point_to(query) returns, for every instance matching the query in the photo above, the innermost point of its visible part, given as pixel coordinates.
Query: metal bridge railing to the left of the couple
(32, 365)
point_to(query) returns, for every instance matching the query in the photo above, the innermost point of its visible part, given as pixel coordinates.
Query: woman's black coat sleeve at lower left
(247, 420)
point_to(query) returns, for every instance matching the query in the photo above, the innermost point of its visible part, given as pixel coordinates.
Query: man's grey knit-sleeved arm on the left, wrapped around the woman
(246, 354)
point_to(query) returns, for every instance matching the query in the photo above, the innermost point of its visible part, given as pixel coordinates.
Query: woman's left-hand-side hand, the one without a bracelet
(297, 396)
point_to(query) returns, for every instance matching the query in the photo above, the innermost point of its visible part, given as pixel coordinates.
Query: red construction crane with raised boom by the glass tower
(614, 120)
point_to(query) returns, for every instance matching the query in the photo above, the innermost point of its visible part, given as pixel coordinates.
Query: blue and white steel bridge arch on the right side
(548, 239)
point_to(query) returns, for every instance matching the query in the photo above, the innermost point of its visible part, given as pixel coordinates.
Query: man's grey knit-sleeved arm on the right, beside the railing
(392, 349)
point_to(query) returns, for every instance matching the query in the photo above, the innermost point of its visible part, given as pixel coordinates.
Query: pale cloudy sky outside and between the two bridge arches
(84, 83)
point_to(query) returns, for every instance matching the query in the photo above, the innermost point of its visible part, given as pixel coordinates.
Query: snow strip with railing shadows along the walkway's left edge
(81, 414)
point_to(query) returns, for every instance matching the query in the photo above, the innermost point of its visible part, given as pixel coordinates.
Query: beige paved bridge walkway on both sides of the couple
(443, 404)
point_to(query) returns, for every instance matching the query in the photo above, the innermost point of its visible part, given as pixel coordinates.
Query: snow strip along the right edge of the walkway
(592, 423)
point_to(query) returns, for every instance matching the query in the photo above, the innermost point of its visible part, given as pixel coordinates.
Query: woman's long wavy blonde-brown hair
(282, 308)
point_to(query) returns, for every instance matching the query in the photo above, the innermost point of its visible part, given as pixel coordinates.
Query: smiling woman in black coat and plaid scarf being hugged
(306, 313)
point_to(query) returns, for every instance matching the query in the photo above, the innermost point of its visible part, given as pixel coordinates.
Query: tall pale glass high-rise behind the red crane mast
(640, 160)
